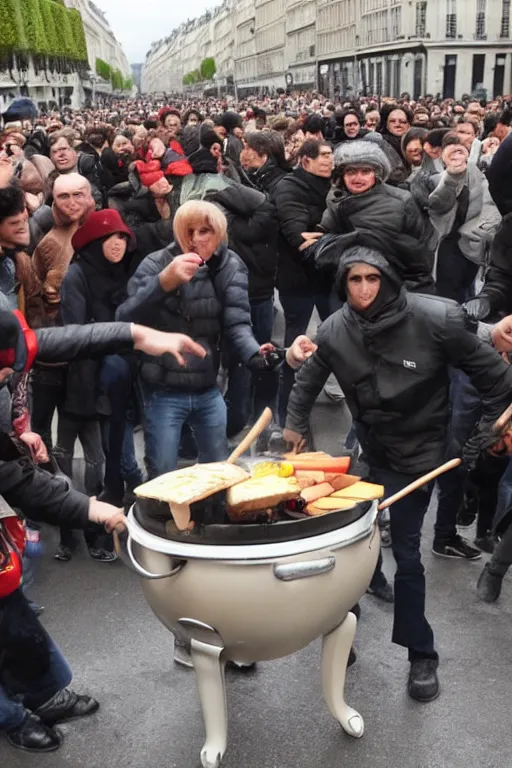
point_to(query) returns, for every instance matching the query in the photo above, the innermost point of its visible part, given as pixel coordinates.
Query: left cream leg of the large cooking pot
(212, 695)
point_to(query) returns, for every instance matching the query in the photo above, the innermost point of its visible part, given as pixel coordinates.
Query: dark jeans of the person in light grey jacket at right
(455, 274)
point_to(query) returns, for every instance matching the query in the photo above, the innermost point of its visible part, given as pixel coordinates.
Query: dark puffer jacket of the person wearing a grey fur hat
(393, 214)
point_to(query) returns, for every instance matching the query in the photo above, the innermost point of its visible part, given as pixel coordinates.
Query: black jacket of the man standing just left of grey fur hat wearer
(300, 199)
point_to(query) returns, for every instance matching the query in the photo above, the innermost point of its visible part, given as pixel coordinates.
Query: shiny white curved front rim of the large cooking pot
(255, 553)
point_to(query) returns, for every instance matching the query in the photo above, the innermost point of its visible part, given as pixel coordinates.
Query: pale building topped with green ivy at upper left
(49, 50)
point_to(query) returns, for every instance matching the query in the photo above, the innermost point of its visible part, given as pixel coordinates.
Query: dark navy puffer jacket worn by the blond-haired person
(213, 306)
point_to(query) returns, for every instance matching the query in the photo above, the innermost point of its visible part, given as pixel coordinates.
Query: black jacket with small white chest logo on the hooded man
(394, 373)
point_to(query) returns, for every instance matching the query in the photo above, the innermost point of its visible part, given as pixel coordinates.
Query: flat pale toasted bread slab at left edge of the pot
(185, 486)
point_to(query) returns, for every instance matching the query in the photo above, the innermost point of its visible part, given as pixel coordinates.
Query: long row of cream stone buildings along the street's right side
(379, 47)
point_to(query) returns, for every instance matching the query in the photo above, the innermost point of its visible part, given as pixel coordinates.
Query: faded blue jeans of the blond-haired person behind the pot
(166, 412)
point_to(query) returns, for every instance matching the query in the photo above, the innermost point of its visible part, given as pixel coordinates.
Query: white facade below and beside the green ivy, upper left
(74, 89)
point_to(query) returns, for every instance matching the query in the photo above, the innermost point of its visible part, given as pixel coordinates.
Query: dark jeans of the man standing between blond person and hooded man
(297, 314)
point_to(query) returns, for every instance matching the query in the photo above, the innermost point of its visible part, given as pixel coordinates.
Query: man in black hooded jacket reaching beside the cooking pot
(390, 353)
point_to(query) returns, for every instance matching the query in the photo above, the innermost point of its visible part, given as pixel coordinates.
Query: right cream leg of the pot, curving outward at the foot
(335, 653)
